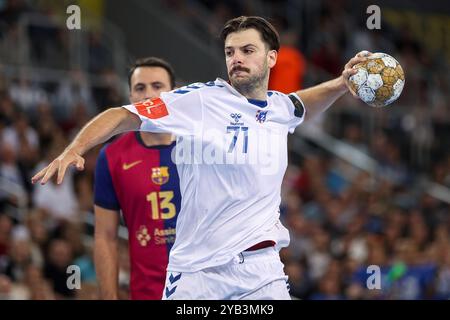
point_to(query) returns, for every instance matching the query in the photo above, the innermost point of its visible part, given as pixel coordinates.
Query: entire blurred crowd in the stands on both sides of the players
(341, 219)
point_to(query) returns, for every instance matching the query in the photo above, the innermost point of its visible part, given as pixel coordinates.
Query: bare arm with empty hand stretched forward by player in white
(107, 124)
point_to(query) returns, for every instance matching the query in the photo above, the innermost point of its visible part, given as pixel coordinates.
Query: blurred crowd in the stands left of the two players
(43, 229)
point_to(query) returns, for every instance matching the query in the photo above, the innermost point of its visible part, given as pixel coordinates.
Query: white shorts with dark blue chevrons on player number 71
(252, 275)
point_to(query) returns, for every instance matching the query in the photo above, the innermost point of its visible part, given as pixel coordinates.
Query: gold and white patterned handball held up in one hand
(379, 80)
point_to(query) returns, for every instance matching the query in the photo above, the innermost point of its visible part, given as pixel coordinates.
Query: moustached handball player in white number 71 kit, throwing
(231, 156)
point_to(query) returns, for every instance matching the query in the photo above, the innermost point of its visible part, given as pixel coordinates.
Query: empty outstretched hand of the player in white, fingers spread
(59, 165)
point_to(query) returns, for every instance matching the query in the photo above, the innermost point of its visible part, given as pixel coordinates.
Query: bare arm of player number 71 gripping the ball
(319, 98)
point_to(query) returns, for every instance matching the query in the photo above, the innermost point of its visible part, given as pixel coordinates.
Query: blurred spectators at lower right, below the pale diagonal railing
(341, 226)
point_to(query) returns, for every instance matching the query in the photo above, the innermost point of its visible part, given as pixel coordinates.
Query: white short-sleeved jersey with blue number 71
(231, 157)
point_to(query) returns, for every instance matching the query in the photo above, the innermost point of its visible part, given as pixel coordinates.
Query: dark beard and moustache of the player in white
(250, 83)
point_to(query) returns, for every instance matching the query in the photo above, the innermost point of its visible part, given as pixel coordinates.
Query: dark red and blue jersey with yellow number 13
(142, 182)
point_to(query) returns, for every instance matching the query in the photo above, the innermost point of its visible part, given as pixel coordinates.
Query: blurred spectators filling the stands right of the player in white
(343, 220)
